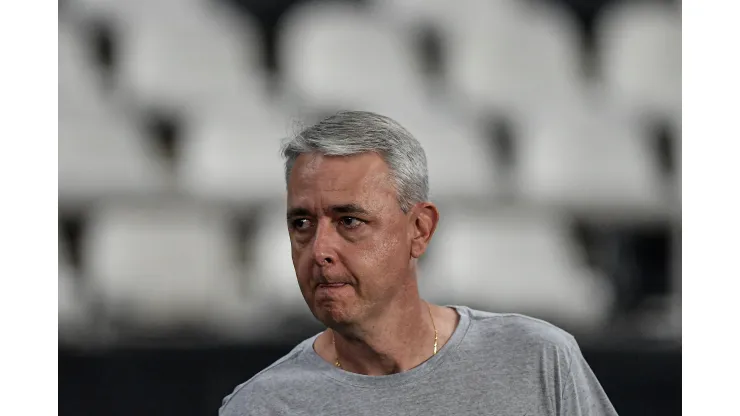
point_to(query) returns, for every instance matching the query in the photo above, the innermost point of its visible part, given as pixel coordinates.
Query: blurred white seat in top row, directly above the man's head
(336, 55)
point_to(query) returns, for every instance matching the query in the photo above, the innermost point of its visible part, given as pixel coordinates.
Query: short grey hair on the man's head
(353, 132)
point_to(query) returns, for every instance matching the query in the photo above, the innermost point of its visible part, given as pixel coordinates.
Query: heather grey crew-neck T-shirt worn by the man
(494, 364)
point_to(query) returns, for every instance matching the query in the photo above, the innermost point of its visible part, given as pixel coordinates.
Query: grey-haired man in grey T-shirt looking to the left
(359, 218)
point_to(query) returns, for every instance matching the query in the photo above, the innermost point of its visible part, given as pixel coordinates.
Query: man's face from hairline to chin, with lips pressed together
(351, 243)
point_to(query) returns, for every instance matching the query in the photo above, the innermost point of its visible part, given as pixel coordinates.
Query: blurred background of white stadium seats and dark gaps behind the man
(552, 130)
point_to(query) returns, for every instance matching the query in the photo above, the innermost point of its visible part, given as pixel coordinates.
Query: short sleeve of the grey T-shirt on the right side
(581, 392)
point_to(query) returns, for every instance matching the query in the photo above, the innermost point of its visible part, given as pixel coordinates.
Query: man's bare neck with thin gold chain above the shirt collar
(399, 339)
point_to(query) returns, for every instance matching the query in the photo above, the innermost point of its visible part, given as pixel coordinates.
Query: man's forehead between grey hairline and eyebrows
(326, 180)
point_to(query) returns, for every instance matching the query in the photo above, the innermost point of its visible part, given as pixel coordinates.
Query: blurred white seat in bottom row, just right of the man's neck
(513, 260)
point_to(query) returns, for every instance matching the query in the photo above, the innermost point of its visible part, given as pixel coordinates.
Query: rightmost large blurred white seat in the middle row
(591, 160)
